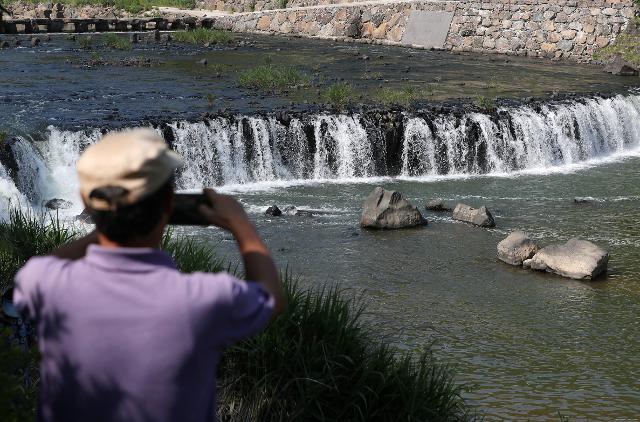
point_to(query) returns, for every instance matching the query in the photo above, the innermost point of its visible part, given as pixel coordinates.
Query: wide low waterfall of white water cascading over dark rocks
(248, 149)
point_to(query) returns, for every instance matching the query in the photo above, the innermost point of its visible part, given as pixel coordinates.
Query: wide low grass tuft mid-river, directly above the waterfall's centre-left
(269, 77)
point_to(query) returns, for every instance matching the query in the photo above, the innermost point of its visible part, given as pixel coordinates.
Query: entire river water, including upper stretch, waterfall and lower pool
(528, 345)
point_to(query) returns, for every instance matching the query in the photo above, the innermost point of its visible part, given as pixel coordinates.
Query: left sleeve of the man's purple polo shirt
(28, 292)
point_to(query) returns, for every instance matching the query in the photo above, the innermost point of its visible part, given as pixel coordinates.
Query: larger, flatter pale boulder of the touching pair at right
(578, 259)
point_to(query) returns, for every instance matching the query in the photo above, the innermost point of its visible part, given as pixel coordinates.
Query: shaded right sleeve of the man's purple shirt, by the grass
(251, 309)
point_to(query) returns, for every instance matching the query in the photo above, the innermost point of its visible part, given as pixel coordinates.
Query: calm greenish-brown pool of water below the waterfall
(529, 344)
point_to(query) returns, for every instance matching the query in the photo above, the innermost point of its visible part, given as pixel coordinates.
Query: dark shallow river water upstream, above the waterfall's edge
(52, 85)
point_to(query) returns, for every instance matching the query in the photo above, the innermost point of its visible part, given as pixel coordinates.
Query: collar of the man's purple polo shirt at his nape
(128, 259)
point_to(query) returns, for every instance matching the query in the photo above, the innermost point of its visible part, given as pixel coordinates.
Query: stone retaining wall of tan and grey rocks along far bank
(570, 29)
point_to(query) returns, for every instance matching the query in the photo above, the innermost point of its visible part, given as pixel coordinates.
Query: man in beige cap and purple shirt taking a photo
(122, 334)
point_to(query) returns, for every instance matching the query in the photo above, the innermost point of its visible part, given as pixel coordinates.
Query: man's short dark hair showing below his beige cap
(128, 222)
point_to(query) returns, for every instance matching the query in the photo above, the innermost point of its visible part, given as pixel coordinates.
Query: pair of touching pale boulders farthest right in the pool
(577, 258)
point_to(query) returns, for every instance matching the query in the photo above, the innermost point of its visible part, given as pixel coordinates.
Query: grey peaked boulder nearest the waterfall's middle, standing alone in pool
(387, 209)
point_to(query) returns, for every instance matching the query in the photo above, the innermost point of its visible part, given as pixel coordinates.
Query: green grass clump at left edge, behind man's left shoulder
(25, 235)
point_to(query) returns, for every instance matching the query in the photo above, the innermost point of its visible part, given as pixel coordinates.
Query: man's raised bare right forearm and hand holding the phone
(227, 213)
